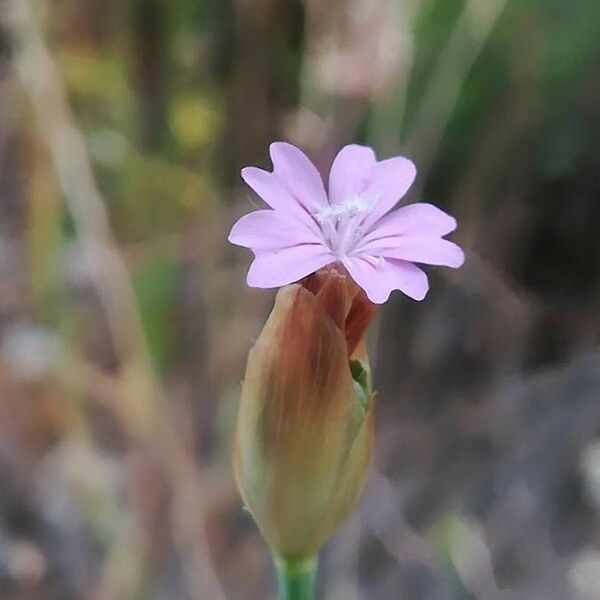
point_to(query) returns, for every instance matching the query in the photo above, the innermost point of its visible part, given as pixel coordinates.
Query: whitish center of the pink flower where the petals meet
(341, 223)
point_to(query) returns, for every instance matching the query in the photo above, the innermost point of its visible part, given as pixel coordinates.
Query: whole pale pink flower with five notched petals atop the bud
(307, 228)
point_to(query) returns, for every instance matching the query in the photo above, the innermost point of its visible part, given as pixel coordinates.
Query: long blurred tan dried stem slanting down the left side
(140, 401)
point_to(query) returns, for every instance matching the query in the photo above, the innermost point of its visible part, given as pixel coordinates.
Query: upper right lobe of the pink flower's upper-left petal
(298, 175)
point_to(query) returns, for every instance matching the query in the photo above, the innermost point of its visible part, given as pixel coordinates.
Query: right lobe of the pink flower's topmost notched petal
(389, 181)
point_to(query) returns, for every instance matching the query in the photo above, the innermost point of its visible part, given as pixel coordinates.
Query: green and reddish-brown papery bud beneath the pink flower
(305, 424)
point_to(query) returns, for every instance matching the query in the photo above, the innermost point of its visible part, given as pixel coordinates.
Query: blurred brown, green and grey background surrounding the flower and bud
(125, 319)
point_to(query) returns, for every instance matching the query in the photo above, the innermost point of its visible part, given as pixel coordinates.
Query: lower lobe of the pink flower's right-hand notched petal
(427, 250)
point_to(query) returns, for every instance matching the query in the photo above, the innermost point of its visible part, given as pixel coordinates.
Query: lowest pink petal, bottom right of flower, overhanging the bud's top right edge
(378, 277)
